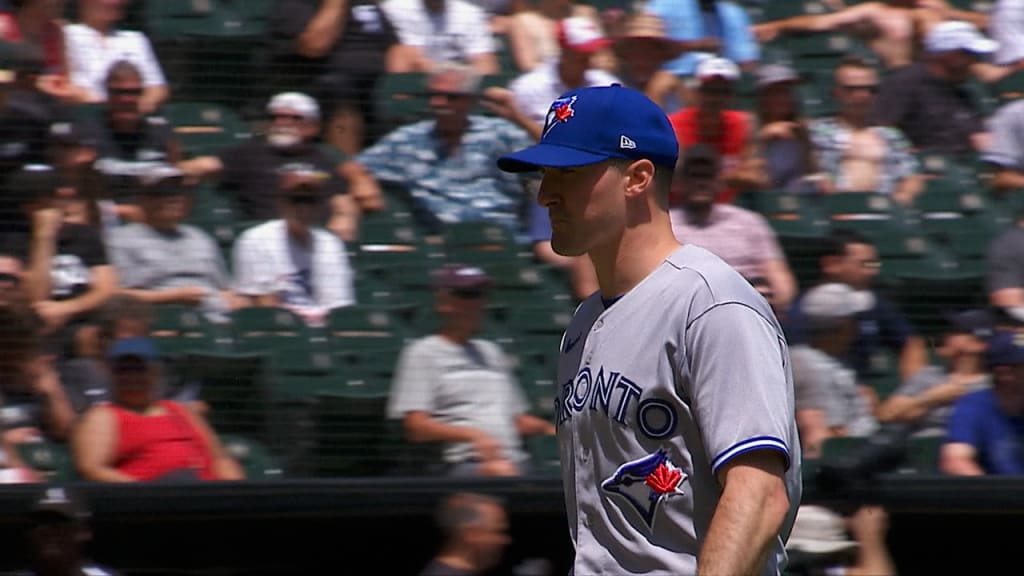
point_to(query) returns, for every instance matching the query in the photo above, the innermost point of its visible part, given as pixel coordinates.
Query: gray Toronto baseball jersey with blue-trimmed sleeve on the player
(659, 391)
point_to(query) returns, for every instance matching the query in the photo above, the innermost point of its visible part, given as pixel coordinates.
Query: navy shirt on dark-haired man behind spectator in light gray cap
(881, 327)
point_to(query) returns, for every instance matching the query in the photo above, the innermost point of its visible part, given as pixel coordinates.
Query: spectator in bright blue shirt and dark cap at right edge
(984, 434)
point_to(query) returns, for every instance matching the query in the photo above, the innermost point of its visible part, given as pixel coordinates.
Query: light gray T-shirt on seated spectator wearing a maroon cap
(461, 385)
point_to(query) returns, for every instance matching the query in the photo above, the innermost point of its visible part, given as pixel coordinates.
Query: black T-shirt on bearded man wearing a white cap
(251, 174)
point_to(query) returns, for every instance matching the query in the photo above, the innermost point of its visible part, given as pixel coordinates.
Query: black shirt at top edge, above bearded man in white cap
(361, 51)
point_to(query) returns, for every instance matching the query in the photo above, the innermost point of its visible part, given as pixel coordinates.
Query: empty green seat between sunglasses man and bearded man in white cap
(205, 129)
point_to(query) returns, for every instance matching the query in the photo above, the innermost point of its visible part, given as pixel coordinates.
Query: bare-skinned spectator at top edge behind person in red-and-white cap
(533, 33)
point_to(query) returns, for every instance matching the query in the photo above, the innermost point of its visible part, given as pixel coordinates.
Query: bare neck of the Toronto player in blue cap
(638, 253)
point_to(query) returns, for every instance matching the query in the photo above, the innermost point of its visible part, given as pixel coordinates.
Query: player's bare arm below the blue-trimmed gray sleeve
(749, 515)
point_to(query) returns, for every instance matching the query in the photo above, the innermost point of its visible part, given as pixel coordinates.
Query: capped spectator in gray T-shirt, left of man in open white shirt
(162, 261)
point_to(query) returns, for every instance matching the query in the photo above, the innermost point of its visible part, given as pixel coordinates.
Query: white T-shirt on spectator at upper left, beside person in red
(91, 56)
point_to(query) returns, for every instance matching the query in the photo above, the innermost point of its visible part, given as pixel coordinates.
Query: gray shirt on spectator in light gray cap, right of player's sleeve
(825, 384)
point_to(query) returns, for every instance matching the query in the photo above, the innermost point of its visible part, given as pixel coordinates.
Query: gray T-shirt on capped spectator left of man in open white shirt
(149, 260)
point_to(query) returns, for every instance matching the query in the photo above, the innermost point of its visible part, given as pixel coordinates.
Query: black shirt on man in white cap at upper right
(935, 115)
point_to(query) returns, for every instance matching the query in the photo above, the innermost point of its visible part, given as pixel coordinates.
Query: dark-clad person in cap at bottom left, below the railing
(59, 536)
